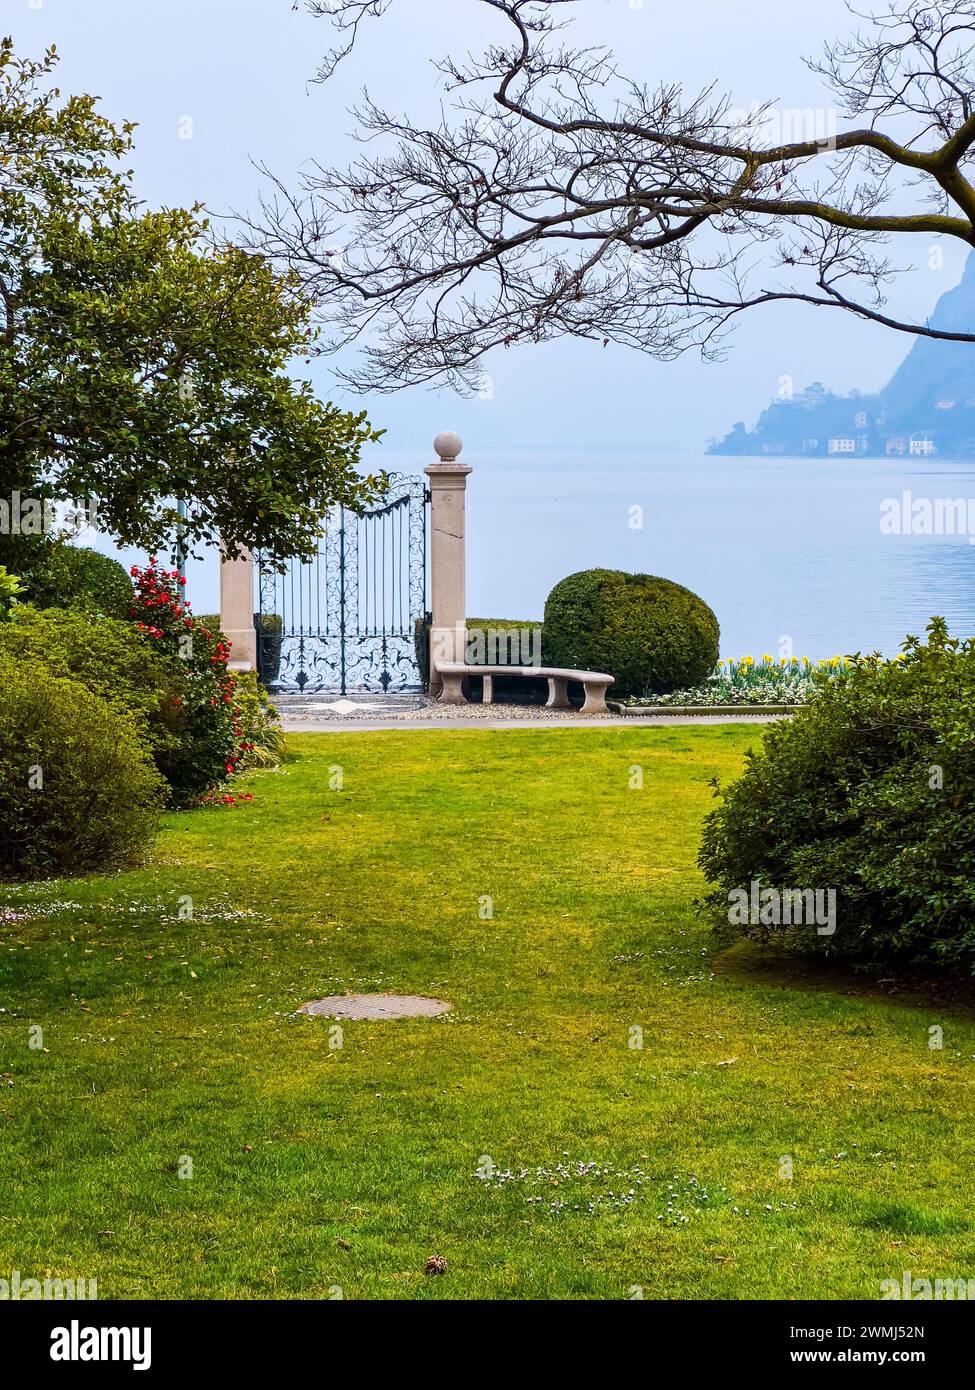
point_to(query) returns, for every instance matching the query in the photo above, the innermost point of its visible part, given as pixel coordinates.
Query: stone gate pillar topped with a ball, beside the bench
(449, 480)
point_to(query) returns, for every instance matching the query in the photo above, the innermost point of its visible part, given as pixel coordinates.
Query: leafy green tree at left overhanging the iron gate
(141, 358)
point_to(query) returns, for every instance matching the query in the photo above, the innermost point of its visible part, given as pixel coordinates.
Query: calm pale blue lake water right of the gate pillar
(781, 548)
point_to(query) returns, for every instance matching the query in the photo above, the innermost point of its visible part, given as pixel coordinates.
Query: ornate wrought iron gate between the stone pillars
(348, 621)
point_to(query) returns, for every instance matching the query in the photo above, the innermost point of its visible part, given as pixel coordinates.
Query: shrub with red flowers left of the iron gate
(208, 726)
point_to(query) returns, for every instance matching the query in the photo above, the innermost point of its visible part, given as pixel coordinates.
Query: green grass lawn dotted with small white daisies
(318, 1170)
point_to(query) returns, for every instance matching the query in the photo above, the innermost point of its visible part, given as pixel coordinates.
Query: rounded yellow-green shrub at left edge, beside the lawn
(79, 790)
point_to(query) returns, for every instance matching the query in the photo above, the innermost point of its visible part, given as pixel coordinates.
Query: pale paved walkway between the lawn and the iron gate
(365, 714)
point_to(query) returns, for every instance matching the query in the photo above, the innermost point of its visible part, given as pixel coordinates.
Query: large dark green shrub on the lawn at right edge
(852, 832)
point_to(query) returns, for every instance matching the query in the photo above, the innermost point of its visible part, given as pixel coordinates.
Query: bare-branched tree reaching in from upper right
(556, 197)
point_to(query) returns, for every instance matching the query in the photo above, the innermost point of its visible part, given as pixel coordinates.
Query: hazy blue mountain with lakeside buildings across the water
(927, 408)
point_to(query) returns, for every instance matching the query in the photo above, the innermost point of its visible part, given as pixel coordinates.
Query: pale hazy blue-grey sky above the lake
(241, 70)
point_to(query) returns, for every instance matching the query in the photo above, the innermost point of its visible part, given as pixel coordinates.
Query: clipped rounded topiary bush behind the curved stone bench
(650, 635)
